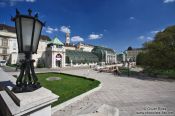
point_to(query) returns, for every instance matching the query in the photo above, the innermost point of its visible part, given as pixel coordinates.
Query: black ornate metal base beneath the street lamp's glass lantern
(27, 80)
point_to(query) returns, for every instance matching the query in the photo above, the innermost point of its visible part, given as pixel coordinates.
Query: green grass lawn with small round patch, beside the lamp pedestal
(68, 87)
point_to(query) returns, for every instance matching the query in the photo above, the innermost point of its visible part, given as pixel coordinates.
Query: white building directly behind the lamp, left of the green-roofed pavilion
(9, 46)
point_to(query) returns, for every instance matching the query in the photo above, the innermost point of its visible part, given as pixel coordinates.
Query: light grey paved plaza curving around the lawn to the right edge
(132, 96)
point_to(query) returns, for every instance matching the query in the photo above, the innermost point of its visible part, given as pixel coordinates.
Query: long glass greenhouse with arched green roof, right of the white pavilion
(98, 54)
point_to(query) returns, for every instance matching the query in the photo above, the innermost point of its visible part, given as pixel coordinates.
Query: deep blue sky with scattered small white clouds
(112, 23)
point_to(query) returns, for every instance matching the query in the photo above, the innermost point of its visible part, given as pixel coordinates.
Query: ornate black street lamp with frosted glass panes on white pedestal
(28, 31)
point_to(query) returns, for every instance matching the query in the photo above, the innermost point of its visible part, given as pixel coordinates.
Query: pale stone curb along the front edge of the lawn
(75, 99)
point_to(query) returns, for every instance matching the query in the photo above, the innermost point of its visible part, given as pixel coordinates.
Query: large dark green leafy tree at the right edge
(160, 53)
